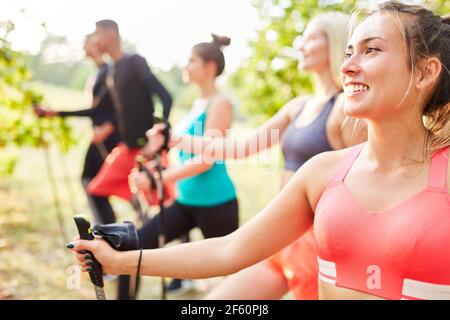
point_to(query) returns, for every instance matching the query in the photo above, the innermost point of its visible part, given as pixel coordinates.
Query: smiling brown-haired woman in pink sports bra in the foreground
(381, 210)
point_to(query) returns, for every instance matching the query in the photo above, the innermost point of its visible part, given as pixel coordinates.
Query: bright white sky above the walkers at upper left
(162, 31)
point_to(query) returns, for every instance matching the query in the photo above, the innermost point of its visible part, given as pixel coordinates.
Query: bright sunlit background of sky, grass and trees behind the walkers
(41, 57)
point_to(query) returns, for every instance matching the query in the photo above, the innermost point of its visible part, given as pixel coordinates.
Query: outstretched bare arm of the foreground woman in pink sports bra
(287, 217)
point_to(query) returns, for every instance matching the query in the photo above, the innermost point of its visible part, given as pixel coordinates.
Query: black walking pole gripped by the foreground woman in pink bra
(85, 232)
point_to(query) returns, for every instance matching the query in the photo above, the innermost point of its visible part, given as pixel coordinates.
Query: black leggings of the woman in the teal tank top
(213, 221)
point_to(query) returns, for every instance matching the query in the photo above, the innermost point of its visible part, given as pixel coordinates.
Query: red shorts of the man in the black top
(112, 179)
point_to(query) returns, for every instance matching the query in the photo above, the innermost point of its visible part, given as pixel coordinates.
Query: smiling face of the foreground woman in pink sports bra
(376, 75)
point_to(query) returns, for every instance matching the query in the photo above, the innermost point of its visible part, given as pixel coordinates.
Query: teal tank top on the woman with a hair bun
(210, 188)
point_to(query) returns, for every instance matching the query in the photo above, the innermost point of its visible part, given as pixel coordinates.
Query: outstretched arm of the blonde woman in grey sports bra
(263, 138)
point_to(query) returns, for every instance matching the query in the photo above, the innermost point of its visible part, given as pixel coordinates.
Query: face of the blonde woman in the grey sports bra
(313, 49)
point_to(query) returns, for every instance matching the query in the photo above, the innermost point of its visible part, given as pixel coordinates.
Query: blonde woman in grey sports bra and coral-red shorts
(307, 126)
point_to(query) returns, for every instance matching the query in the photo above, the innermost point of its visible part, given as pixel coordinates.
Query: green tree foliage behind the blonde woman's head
(270, 76)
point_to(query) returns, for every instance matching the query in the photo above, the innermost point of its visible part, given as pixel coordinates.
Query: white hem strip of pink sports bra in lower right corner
(425, 290)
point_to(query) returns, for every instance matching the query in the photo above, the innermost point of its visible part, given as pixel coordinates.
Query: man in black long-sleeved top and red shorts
(132, 86)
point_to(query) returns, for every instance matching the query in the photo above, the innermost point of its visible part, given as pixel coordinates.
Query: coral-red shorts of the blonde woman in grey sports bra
(298, 265)
